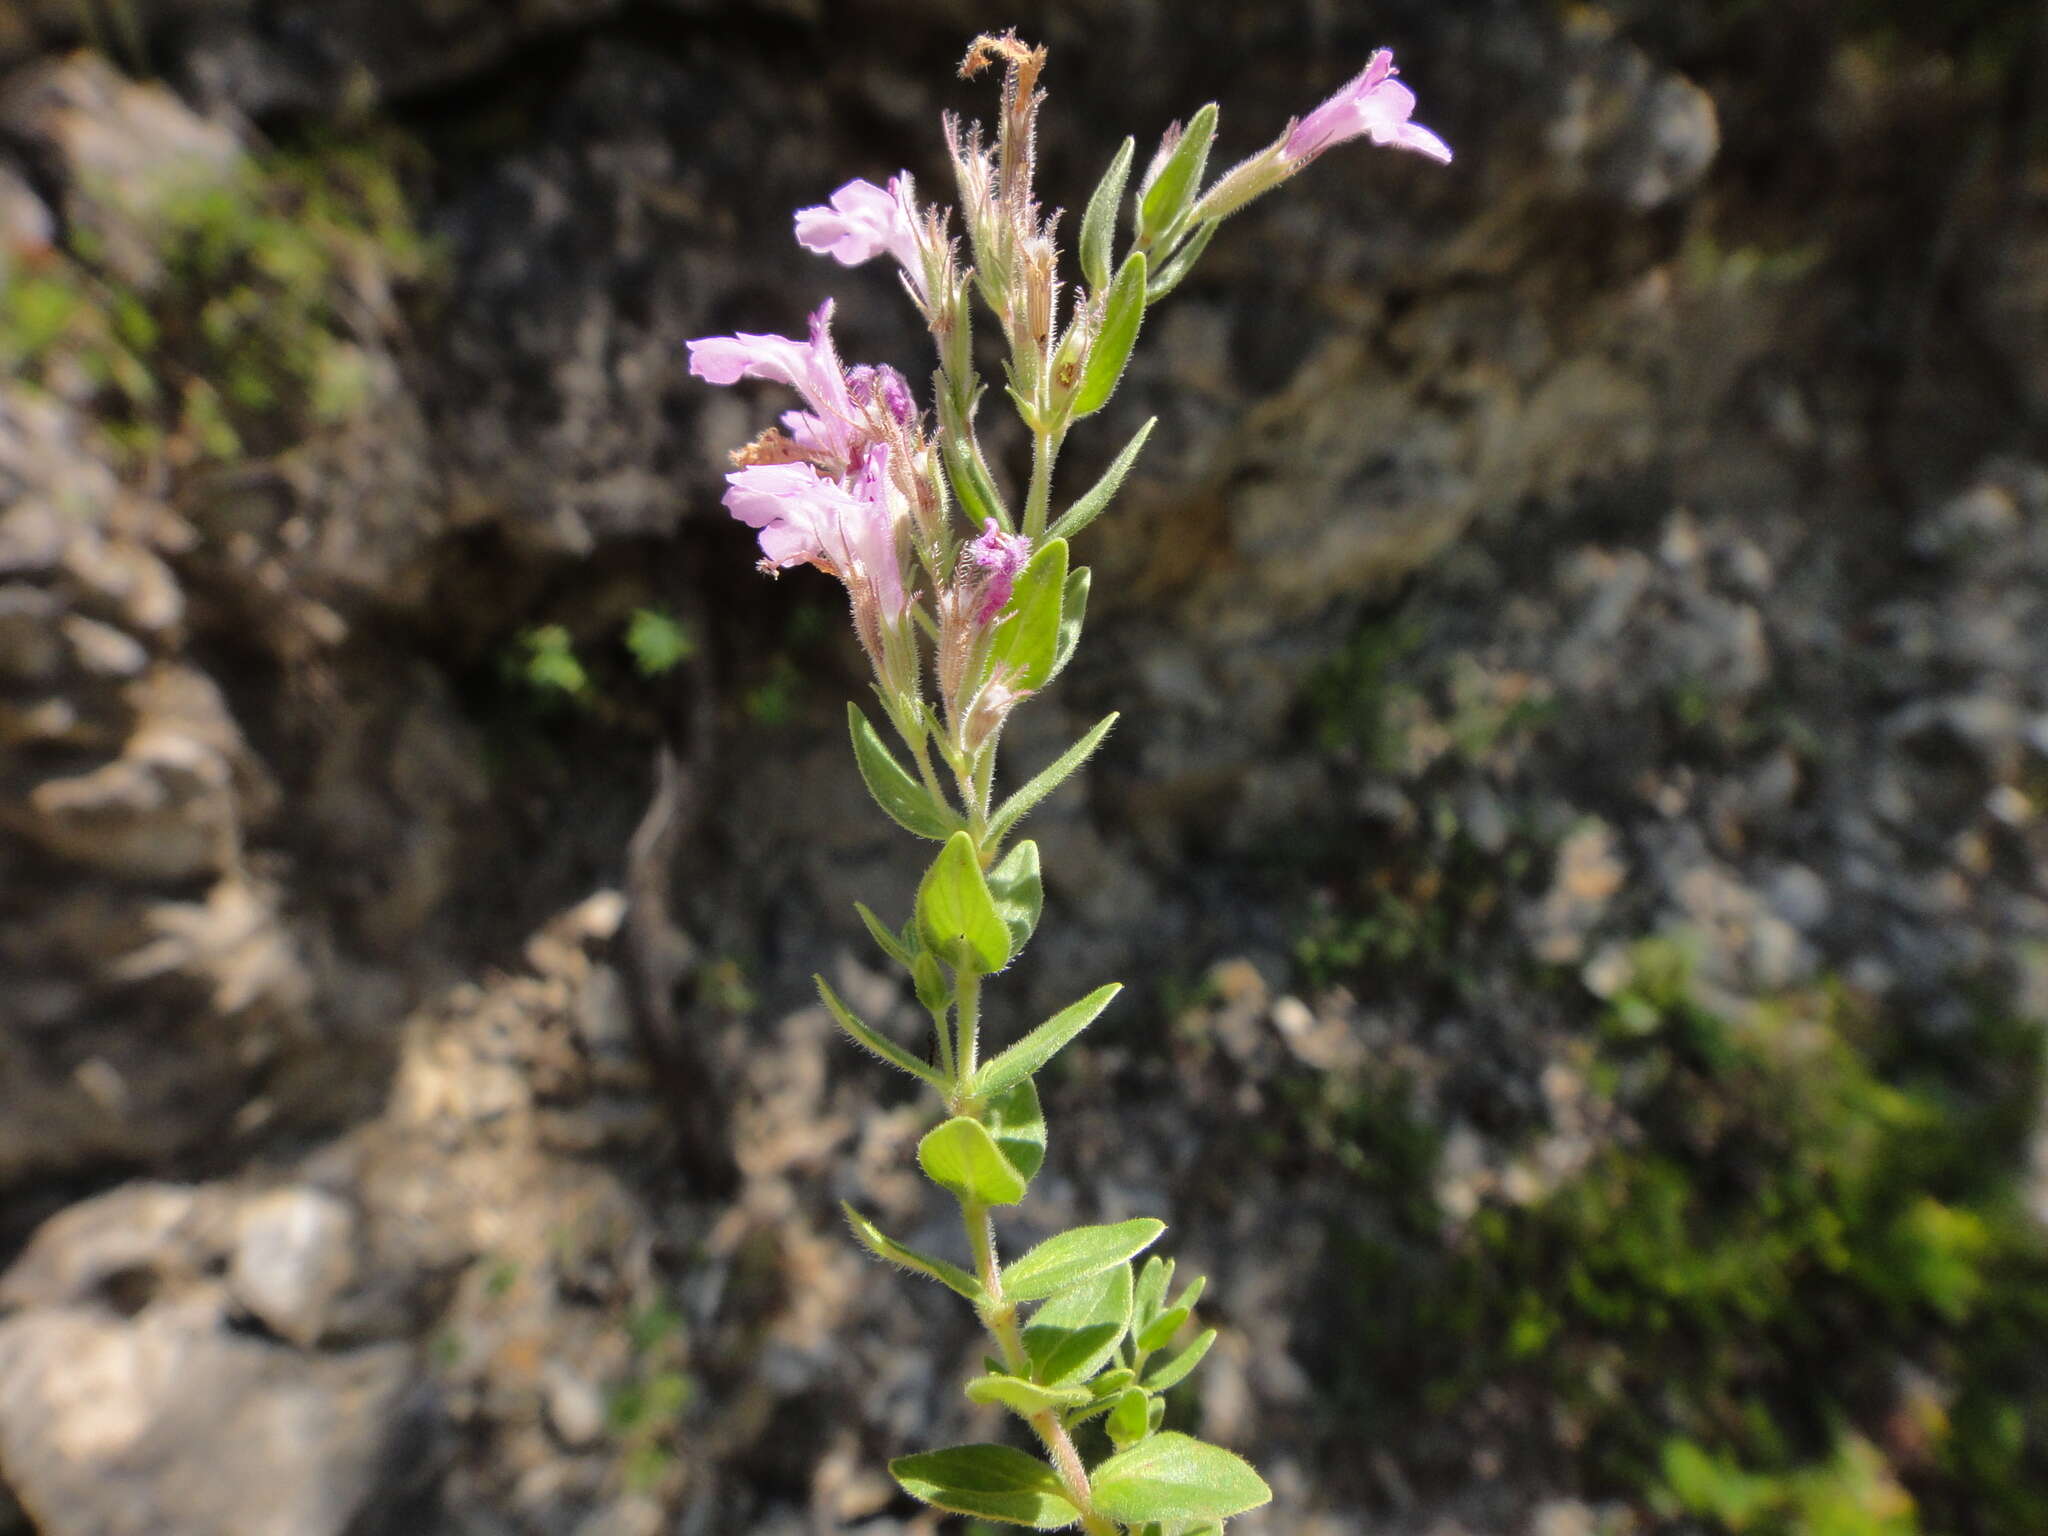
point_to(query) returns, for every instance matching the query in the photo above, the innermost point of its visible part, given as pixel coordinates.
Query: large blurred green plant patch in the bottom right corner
(1814, 1205)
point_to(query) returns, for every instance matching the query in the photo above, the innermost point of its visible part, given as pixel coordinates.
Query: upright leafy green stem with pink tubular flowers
(966, 609)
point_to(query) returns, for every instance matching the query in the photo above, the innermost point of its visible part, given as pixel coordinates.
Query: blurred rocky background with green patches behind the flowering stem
(1576, 835)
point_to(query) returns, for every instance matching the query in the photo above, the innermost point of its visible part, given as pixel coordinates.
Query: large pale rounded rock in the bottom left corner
(124, 1326)
